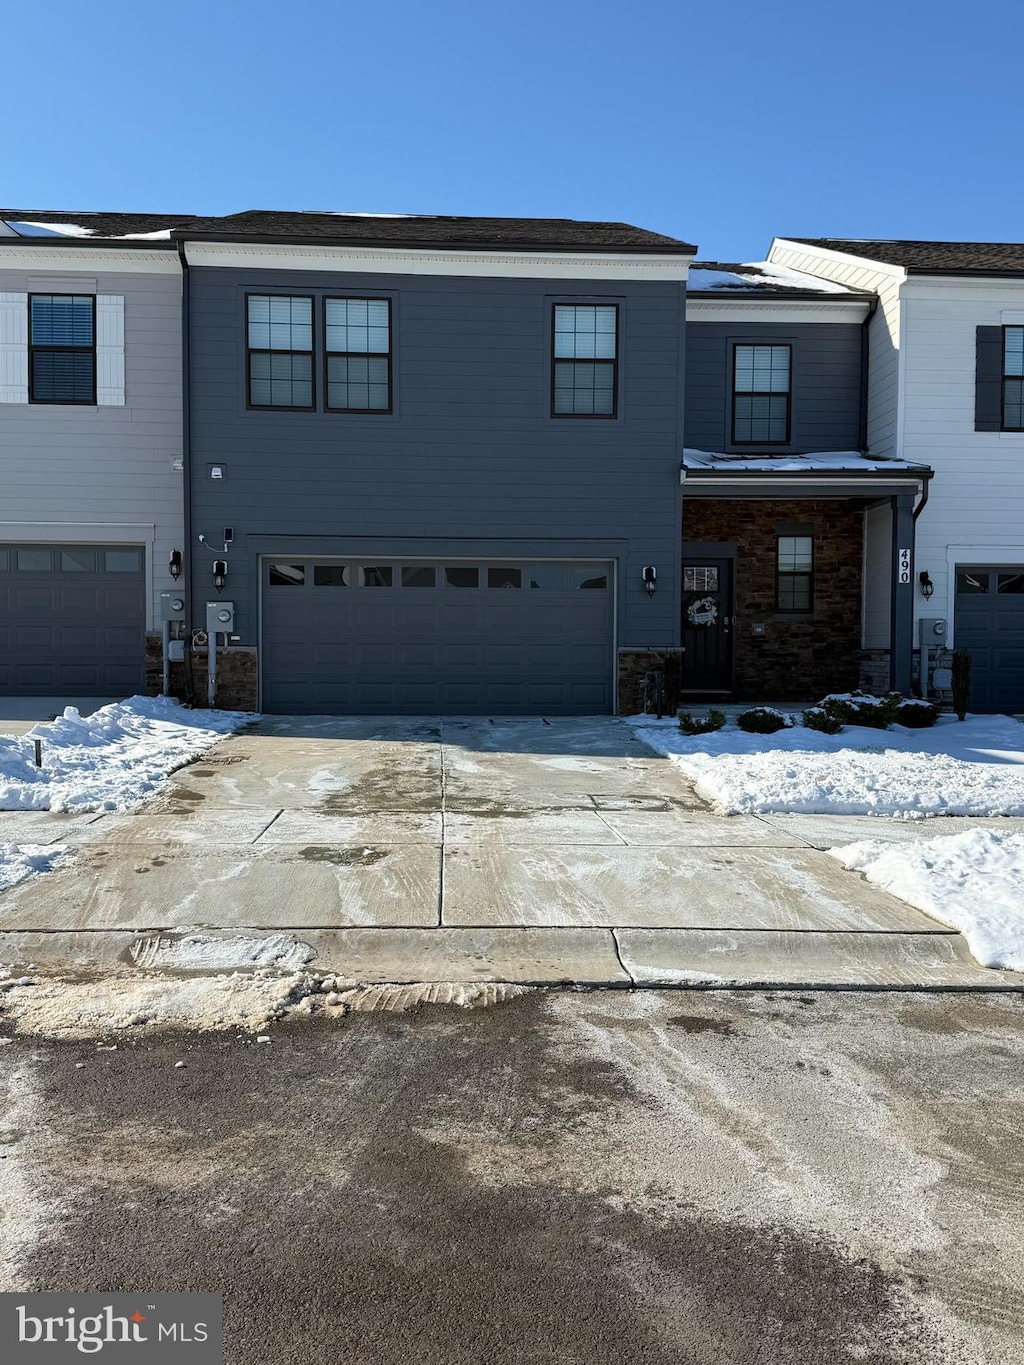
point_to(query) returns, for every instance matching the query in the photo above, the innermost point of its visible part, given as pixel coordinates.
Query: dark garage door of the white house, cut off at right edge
(991, 626)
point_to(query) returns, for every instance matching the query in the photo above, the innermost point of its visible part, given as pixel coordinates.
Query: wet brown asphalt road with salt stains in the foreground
(610, 1177)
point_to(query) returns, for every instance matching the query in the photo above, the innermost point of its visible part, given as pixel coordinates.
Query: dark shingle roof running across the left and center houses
(368, 229)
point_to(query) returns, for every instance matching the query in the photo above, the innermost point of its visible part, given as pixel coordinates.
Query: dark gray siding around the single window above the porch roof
(827, 392)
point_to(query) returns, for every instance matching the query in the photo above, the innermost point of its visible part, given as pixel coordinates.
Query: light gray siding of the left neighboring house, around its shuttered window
(72, 472)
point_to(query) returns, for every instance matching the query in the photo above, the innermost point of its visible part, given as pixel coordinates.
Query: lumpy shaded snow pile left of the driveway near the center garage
(110, 761)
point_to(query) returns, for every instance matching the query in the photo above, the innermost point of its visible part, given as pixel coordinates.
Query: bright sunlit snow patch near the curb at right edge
(973, 881)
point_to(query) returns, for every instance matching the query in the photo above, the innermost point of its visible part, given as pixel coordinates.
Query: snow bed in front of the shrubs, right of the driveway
(976, 768)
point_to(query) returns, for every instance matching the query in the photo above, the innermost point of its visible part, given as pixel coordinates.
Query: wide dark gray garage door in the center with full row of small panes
(450, 638)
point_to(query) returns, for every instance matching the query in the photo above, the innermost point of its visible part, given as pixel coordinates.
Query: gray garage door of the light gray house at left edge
(73, 620)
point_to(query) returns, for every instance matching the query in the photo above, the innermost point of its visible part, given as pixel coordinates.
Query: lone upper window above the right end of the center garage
(585, 377)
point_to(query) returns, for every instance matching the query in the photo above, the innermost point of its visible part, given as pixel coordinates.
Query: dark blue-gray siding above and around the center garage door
(470, 455)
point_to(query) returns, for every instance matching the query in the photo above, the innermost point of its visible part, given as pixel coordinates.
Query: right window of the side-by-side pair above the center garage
(358, 354)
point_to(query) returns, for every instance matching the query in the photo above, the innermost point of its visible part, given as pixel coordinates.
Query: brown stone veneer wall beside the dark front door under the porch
(798, 659)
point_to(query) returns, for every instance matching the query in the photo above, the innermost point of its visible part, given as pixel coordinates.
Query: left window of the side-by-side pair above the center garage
(281, 351)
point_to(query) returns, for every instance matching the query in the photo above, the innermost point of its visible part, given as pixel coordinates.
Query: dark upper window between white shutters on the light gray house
(62, 349)
